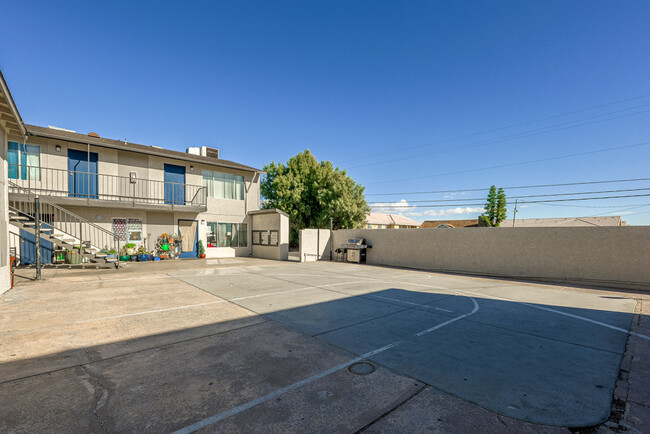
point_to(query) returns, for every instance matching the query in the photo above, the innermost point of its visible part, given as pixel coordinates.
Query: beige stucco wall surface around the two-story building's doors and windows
(122, 163)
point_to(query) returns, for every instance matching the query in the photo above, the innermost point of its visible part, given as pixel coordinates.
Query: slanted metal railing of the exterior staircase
(89, 235)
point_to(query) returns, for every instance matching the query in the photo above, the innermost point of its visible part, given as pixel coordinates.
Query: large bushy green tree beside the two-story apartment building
(312, 192)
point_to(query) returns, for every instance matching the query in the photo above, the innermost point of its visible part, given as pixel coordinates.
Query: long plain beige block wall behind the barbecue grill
(604, 256)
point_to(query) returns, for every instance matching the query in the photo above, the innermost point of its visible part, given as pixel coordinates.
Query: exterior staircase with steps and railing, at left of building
(61, 227)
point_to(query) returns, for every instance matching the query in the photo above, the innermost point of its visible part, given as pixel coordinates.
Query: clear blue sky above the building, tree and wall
(408, 96)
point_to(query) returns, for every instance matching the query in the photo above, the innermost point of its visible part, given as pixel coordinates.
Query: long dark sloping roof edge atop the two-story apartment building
(52, 133)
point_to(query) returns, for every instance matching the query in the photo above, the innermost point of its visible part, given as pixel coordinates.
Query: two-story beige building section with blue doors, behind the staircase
(139, 192)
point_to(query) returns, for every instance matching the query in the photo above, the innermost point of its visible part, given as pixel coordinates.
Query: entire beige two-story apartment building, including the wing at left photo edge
(106, 192)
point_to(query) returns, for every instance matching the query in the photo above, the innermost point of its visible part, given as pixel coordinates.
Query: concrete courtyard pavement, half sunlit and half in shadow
(243, 345)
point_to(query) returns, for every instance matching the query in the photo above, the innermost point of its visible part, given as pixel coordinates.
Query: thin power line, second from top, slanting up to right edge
(523, 134)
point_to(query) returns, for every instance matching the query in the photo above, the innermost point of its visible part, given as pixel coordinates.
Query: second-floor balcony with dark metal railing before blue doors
(87, 188)
